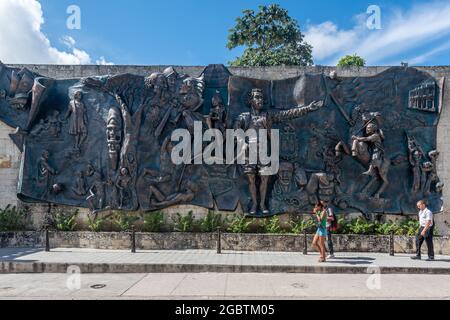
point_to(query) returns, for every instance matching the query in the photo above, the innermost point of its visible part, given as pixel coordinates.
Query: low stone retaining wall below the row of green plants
(208, 241)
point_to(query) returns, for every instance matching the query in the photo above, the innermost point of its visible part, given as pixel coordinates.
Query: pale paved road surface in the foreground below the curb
(224, 286)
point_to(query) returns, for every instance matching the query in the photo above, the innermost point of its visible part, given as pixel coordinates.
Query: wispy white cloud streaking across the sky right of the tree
(402, 31)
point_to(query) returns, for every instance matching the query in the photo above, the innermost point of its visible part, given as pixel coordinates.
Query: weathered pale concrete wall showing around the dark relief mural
(10, 157)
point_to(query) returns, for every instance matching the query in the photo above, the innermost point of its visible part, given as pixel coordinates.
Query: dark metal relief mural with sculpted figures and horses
(364, 144)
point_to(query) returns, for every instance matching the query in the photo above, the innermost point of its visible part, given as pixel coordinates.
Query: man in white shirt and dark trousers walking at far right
(426, 231)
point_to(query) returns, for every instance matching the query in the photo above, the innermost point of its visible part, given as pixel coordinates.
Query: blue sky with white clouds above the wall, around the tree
(194, 32)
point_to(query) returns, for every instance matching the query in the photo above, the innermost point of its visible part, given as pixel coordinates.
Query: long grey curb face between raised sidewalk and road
(44, 267)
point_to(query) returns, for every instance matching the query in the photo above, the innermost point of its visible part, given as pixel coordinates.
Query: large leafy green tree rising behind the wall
(272, 38)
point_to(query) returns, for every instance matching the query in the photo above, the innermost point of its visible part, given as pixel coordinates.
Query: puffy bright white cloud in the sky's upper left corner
(22, 41)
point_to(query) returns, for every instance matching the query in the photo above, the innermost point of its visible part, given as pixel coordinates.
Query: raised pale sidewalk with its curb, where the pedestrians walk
(17, 260)
